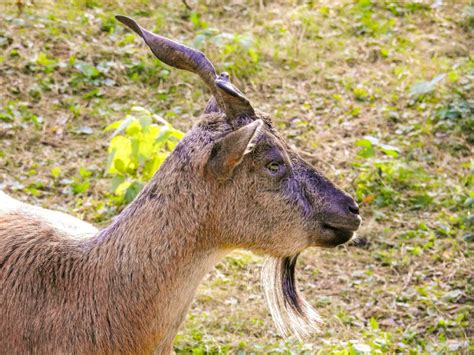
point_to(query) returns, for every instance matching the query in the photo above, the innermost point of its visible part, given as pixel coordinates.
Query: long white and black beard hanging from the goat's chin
(290, 312)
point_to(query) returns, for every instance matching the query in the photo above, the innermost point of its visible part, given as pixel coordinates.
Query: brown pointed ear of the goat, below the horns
(229, 152)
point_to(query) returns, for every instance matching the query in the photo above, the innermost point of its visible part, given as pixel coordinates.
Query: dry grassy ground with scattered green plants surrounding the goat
(376, 93)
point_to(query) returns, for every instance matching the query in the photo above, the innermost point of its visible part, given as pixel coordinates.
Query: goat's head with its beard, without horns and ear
(273, 202)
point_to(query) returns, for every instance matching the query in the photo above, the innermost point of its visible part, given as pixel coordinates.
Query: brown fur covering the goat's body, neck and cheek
(128, 288)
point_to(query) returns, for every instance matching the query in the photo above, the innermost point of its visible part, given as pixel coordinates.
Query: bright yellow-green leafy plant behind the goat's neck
(139, 145)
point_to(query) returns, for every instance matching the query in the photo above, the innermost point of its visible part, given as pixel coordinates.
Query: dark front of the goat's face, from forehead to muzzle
(327, 214)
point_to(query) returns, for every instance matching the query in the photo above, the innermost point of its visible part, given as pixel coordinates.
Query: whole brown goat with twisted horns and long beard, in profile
(232, 182)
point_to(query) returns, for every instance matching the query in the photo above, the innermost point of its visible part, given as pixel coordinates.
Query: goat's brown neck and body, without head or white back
(125, 290)
